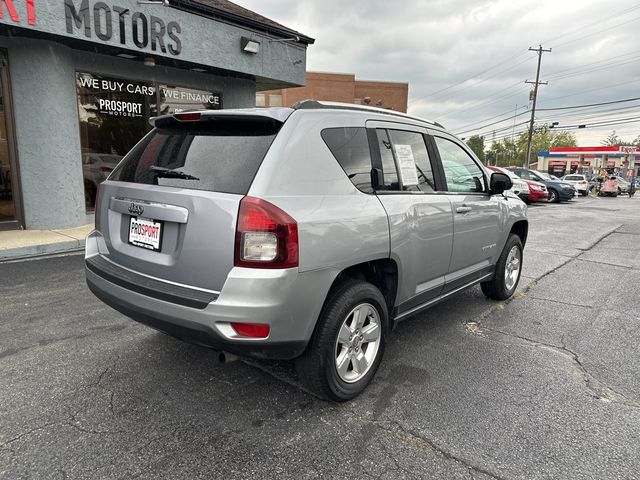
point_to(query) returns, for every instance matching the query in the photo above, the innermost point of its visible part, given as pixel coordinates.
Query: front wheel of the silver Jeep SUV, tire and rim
(508, 269)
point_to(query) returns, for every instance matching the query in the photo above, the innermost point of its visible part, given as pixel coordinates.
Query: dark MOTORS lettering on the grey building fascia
(134, 27)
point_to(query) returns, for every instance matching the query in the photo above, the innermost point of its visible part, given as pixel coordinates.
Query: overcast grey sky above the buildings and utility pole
(466, 61)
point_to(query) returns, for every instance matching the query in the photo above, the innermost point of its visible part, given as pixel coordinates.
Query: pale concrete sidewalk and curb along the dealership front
(16, 244)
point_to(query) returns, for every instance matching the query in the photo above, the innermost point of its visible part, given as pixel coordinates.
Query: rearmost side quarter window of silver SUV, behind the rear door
(350, 147)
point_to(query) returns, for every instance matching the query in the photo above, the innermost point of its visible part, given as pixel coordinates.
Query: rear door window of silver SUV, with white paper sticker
(405, 161)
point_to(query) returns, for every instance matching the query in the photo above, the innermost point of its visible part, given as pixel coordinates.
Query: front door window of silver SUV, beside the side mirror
(461, 172)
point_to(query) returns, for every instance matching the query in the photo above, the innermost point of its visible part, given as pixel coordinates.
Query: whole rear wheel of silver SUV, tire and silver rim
(347, 346)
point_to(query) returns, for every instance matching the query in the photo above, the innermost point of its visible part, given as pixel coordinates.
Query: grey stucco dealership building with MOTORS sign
(79, 80)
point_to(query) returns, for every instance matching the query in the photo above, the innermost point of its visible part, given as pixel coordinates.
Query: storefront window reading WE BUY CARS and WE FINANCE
(114, 115)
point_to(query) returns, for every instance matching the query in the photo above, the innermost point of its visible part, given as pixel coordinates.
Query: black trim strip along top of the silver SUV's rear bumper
(148, 286)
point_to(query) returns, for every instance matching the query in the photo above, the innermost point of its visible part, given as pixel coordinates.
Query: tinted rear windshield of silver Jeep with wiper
(218, 156)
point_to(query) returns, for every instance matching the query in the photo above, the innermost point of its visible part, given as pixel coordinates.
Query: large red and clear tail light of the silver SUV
(266, 237)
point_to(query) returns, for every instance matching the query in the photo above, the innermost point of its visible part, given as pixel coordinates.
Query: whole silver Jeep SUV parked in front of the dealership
(300, 233)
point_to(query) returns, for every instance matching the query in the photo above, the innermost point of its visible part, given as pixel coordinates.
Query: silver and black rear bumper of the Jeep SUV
(286, 300)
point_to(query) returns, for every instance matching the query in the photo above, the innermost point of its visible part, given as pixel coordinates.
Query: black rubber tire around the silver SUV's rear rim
(317, 368)
